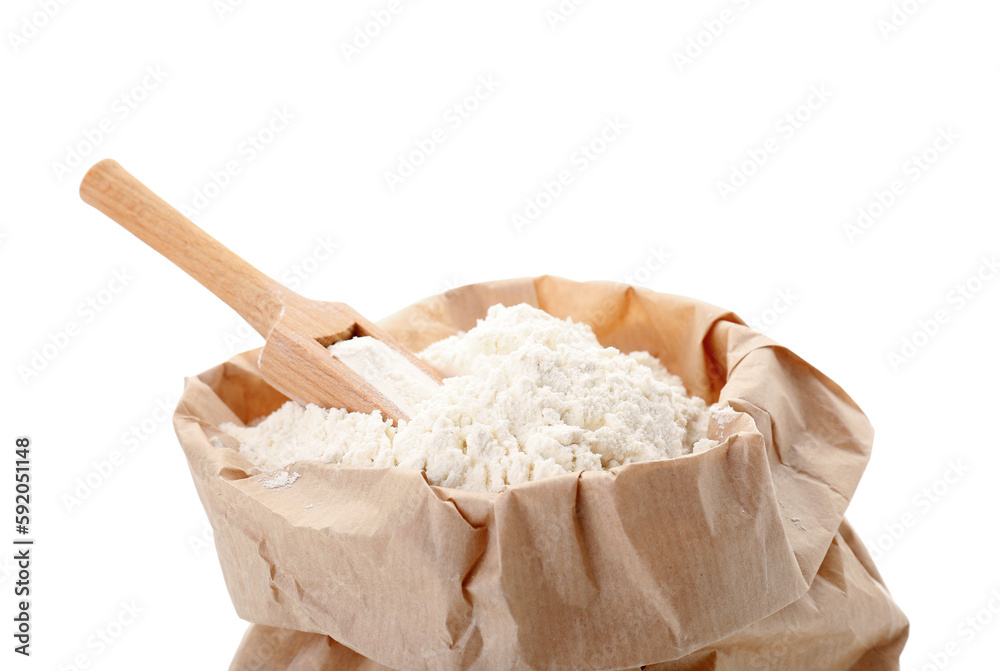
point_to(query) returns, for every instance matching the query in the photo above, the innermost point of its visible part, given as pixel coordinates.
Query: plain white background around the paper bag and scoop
(847, 301)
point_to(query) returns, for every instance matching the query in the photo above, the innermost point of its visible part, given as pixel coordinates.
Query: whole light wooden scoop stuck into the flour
(294, 360)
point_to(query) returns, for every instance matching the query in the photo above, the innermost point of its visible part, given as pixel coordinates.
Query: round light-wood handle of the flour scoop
(256, 297)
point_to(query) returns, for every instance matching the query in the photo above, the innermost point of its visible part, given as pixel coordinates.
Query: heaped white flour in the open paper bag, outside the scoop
(528, 396)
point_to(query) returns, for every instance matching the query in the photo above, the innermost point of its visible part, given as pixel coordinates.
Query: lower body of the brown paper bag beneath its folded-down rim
(828, 628)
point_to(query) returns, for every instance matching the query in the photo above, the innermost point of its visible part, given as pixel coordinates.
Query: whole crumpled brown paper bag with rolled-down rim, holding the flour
(735, 557)
